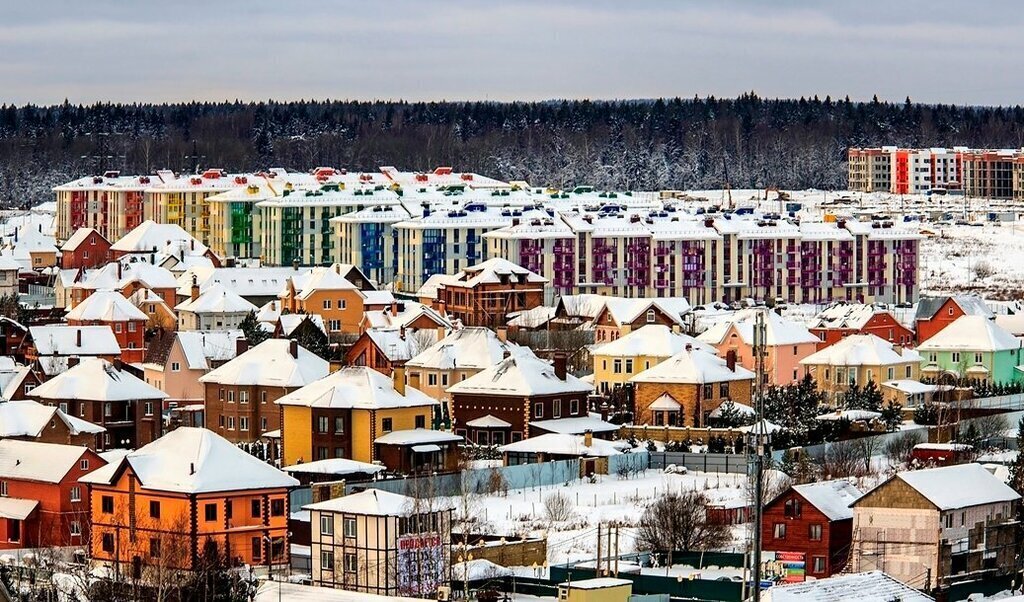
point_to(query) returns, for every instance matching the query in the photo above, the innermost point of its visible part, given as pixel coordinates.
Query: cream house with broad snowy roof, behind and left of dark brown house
(455, 359)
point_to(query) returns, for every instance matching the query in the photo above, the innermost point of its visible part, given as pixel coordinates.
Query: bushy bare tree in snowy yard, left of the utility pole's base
(679, 523)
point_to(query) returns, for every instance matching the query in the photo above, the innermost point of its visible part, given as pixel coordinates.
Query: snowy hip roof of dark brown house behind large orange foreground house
(96, 379)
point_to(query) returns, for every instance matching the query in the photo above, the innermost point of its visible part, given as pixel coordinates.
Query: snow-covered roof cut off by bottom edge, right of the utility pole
(874, 586)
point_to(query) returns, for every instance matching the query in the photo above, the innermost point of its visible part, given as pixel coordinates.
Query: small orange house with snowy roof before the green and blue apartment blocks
(326, 292)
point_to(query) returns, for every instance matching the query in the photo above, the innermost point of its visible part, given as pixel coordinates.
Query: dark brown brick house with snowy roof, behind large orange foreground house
(107, 395)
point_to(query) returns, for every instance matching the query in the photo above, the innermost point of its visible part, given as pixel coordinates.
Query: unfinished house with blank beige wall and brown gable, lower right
(933, 527)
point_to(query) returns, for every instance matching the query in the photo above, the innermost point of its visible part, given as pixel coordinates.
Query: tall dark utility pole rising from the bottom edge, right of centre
(757, 445)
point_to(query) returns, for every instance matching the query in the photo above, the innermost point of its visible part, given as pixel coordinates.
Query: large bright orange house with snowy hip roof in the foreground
(163, 505)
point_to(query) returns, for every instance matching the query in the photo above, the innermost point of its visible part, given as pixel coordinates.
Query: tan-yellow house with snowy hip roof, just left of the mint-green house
(859, 360)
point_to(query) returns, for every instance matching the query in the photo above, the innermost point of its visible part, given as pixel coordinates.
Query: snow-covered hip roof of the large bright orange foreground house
(192, 460)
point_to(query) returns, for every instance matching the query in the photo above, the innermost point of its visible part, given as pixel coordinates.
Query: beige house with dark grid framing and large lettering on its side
(381, 543)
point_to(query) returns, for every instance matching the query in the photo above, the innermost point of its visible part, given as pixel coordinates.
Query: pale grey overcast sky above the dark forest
(145, 51)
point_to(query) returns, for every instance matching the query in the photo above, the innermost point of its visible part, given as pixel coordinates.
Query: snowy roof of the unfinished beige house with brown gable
(962, 486)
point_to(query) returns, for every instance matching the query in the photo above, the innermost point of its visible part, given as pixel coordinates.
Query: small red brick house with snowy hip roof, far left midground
(125, 321)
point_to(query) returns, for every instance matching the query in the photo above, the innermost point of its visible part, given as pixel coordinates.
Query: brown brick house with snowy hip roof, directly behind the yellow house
(241, 396)
